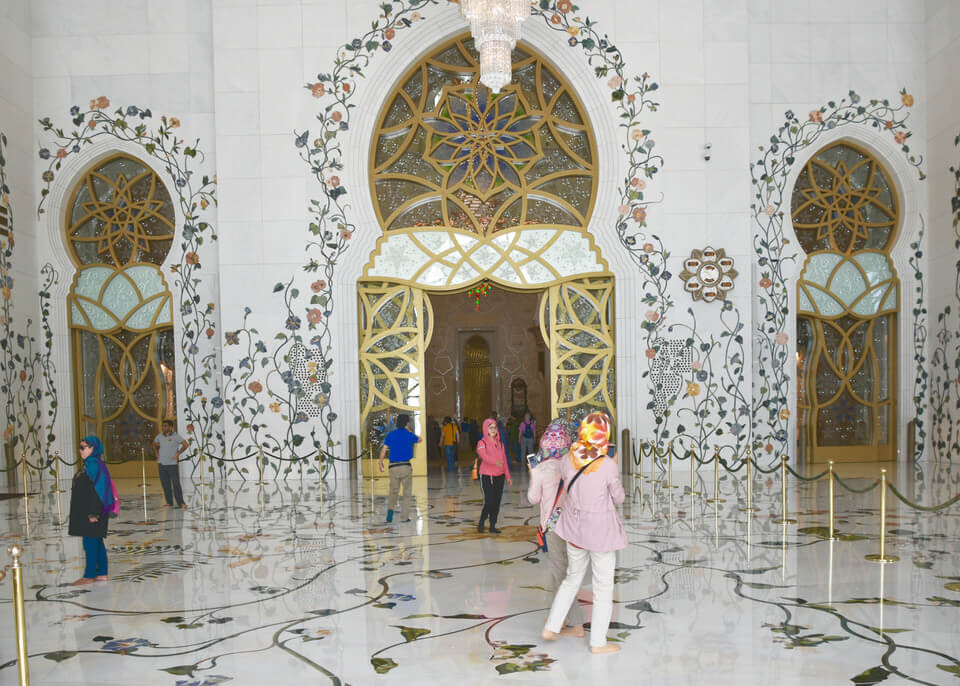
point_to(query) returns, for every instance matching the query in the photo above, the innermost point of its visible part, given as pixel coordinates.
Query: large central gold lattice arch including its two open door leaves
(469, 186)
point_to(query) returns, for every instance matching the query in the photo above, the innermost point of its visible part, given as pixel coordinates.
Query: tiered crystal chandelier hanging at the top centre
(495, 25)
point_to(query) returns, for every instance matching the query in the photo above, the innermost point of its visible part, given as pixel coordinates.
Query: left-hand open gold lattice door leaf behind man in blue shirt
(396, 323)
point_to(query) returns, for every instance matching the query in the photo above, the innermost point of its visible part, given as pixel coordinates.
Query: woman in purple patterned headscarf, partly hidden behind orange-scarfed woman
(544, 487)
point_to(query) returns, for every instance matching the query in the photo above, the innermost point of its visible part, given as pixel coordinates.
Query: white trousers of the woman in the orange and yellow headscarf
(602, 566)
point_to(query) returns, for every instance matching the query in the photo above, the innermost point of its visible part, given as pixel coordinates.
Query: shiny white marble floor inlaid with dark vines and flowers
(305, 583)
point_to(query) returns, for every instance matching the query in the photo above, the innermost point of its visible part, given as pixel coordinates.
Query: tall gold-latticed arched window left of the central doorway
(120, 225)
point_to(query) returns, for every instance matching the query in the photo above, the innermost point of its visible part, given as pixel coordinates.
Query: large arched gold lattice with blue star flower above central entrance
(448, 153)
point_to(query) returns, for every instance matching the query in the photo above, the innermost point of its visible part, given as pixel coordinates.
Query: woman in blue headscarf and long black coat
(92, 501)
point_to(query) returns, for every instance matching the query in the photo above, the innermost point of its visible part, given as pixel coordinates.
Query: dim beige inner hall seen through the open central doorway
(486, 354)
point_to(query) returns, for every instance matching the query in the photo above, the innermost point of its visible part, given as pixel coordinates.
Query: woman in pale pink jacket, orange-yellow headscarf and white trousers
(590, 525)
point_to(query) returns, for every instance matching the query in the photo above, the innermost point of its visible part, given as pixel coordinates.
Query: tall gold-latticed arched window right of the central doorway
(846, 217)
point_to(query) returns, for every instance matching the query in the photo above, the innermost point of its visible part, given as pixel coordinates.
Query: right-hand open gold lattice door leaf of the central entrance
(576, 319)
